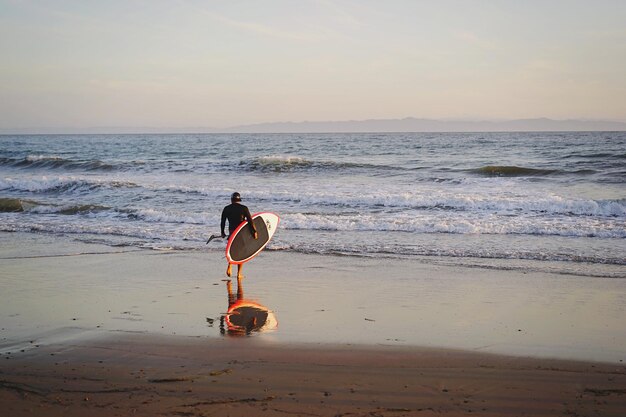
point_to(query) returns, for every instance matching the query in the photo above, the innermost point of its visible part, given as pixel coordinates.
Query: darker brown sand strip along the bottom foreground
(174, 376)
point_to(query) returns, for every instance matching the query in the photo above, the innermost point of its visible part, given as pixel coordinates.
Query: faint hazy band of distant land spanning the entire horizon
(409, 124)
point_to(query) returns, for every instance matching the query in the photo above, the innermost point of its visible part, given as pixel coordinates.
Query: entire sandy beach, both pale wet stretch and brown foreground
(97, 330)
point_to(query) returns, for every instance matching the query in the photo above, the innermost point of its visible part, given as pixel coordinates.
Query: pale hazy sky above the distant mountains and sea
(189, 63)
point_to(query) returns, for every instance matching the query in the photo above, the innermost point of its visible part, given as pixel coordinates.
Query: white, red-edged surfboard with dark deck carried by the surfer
(242, 246)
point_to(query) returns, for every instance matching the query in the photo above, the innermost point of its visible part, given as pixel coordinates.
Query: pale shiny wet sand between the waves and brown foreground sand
(315, 299)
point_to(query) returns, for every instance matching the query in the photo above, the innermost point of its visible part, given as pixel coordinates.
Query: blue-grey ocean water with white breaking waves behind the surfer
(529, 201)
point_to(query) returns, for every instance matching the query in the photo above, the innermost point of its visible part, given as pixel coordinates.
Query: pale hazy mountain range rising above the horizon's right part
(411, 124)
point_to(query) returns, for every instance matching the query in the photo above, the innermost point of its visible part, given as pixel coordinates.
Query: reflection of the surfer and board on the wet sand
(245, 316)
